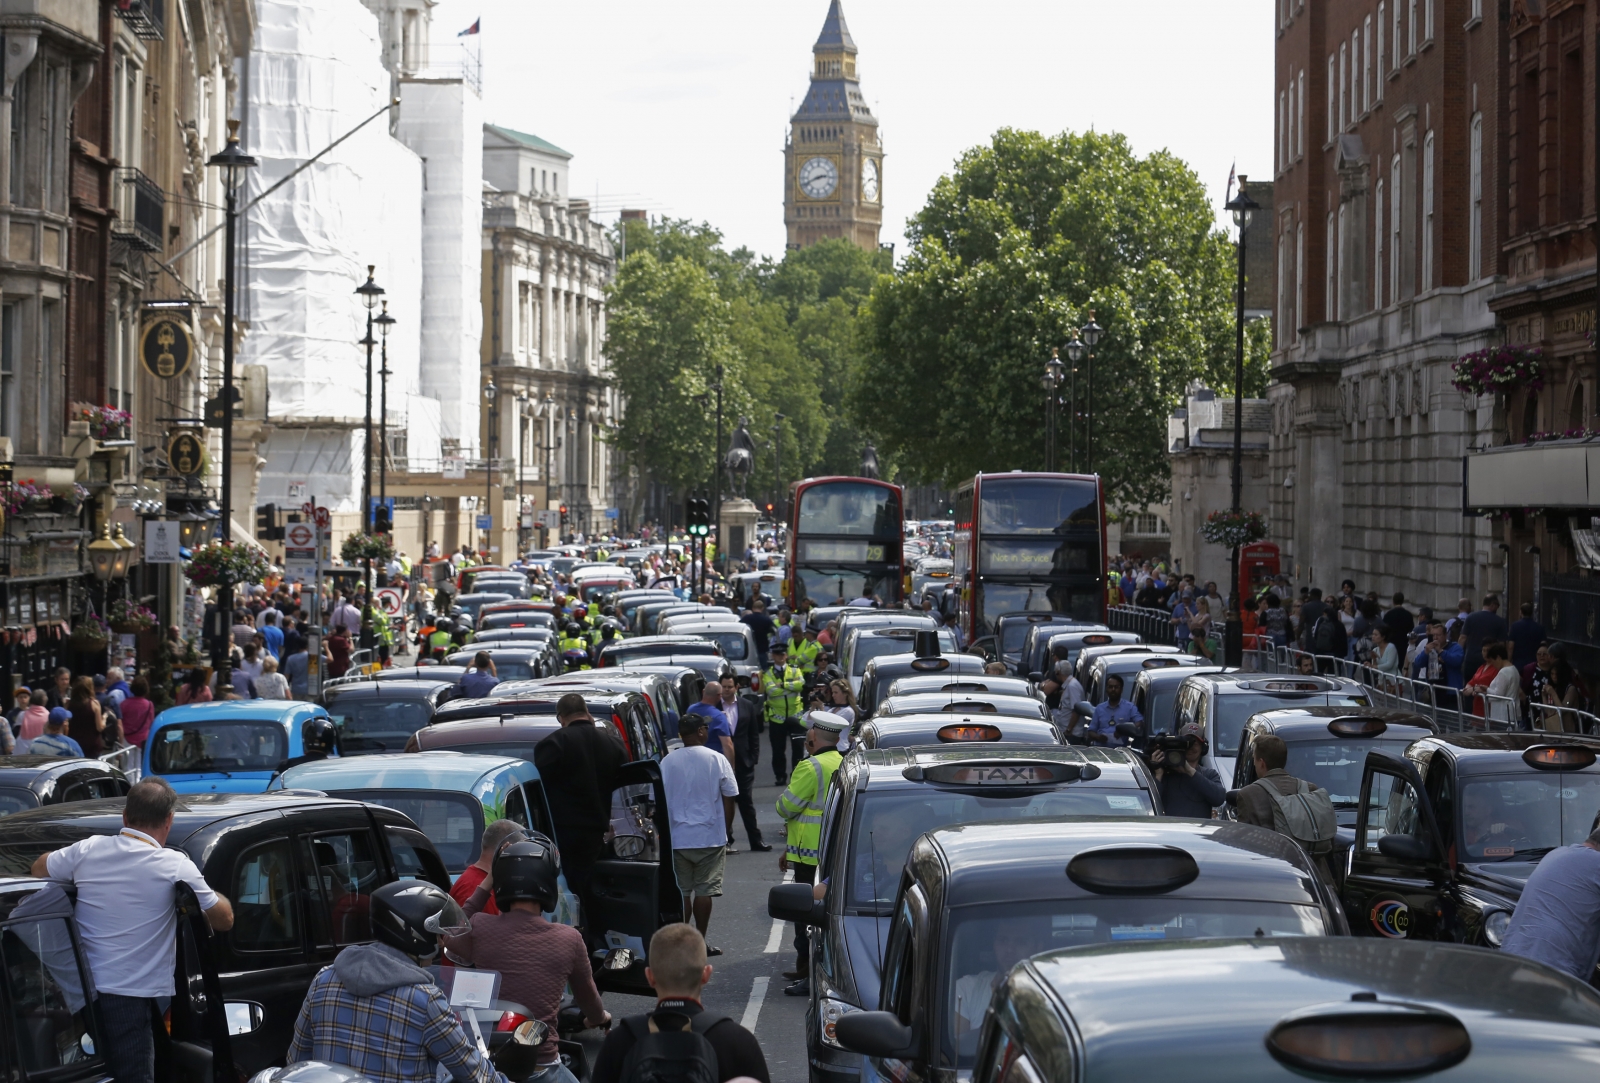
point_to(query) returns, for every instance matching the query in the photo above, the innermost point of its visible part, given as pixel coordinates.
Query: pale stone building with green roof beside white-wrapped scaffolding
(546, 266)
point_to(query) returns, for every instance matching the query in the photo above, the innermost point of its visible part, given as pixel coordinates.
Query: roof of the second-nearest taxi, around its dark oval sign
(996, 863)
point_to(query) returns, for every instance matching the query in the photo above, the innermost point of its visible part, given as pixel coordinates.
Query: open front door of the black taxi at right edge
(1398, 868)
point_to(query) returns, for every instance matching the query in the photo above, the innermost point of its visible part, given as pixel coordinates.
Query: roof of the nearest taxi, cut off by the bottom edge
(1511, 1007)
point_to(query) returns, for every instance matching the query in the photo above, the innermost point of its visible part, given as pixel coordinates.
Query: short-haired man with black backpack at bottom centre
(679, 1041)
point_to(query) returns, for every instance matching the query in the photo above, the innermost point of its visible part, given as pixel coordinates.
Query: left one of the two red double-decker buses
(846, 541)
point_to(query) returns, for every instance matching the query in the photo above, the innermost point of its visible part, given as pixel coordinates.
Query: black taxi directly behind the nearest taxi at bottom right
(980, 898)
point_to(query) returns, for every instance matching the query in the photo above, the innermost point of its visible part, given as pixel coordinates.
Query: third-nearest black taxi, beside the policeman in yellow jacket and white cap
(881, 802)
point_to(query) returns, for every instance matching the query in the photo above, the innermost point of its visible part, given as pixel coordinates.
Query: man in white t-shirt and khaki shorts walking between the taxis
(700, 788)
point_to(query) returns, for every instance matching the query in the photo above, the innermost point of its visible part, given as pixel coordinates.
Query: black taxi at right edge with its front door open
(1454, 828)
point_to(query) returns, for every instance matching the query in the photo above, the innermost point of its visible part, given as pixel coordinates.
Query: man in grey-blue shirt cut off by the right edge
(1558, 921)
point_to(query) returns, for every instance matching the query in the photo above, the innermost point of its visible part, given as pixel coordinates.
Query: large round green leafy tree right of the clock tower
(1010, 255)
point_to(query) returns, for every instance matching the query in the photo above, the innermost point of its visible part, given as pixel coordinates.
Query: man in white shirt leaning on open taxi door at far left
(127, 916)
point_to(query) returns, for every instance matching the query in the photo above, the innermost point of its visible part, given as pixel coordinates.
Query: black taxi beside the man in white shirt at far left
(297, 869)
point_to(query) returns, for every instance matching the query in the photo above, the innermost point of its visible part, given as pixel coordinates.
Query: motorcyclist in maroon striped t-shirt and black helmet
(535, 954)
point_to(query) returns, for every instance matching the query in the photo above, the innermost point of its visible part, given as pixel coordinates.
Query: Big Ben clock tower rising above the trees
(834, 161)
